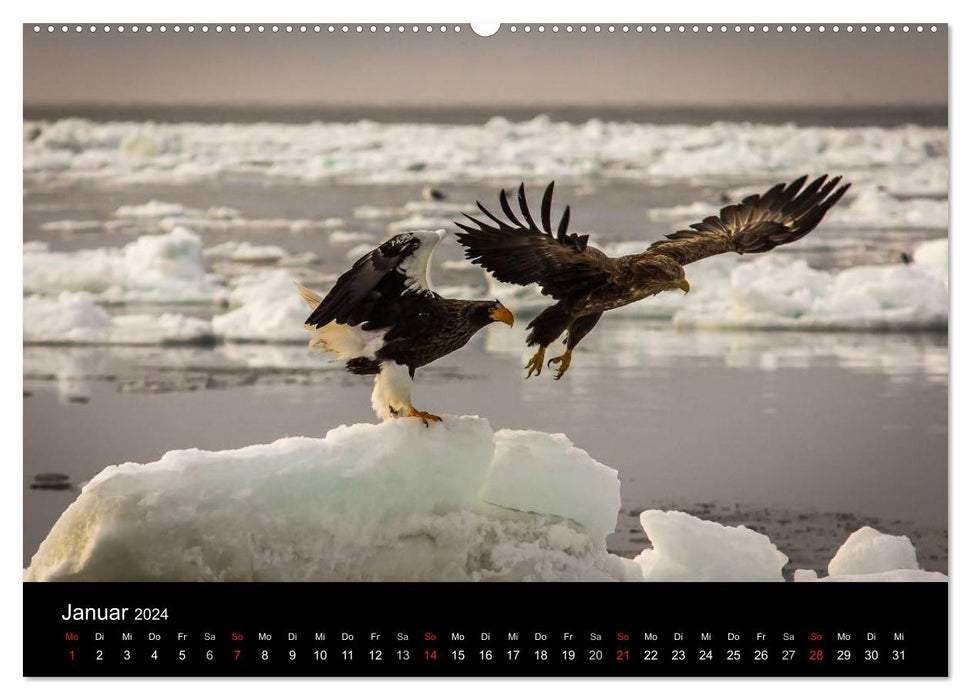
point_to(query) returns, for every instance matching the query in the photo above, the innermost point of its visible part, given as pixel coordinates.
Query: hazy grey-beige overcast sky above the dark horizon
(464, 69)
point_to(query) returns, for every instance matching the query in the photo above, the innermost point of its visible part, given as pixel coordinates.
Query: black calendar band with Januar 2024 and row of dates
(515, 629)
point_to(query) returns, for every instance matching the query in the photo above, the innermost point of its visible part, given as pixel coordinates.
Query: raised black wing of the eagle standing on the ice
(373, 281)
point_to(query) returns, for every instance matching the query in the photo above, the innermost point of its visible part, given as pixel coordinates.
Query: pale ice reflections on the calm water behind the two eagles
(621, 344)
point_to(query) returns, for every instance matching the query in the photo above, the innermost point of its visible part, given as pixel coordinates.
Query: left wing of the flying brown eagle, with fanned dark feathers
(522, 252)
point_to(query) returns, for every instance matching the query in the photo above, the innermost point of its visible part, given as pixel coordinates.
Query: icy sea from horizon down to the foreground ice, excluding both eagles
(803, 394)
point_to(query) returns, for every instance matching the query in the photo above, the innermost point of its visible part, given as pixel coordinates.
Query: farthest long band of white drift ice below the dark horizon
(71, 150)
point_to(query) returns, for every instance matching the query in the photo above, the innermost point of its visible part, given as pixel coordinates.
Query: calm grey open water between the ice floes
(803, 436)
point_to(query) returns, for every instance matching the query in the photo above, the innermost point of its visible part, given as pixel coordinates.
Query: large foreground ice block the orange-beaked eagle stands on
(395, 501)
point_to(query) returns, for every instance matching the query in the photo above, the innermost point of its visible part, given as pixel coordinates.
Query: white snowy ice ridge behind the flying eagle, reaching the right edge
(784, 292)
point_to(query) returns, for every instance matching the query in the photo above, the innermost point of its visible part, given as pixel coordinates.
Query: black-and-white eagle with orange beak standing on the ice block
(381, 318)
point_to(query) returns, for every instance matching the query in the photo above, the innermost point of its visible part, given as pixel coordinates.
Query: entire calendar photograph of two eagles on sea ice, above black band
(411, 304)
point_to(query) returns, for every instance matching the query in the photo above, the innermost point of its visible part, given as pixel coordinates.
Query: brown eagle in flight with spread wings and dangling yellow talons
(585, 282)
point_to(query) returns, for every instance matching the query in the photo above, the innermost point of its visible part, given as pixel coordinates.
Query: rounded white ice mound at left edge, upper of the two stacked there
(166, 268)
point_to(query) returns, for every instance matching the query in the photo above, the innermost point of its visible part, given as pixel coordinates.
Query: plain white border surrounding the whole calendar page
(822, 11)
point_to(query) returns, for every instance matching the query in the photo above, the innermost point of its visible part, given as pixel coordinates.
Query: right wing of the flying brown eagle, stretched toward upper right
(783, 214)
